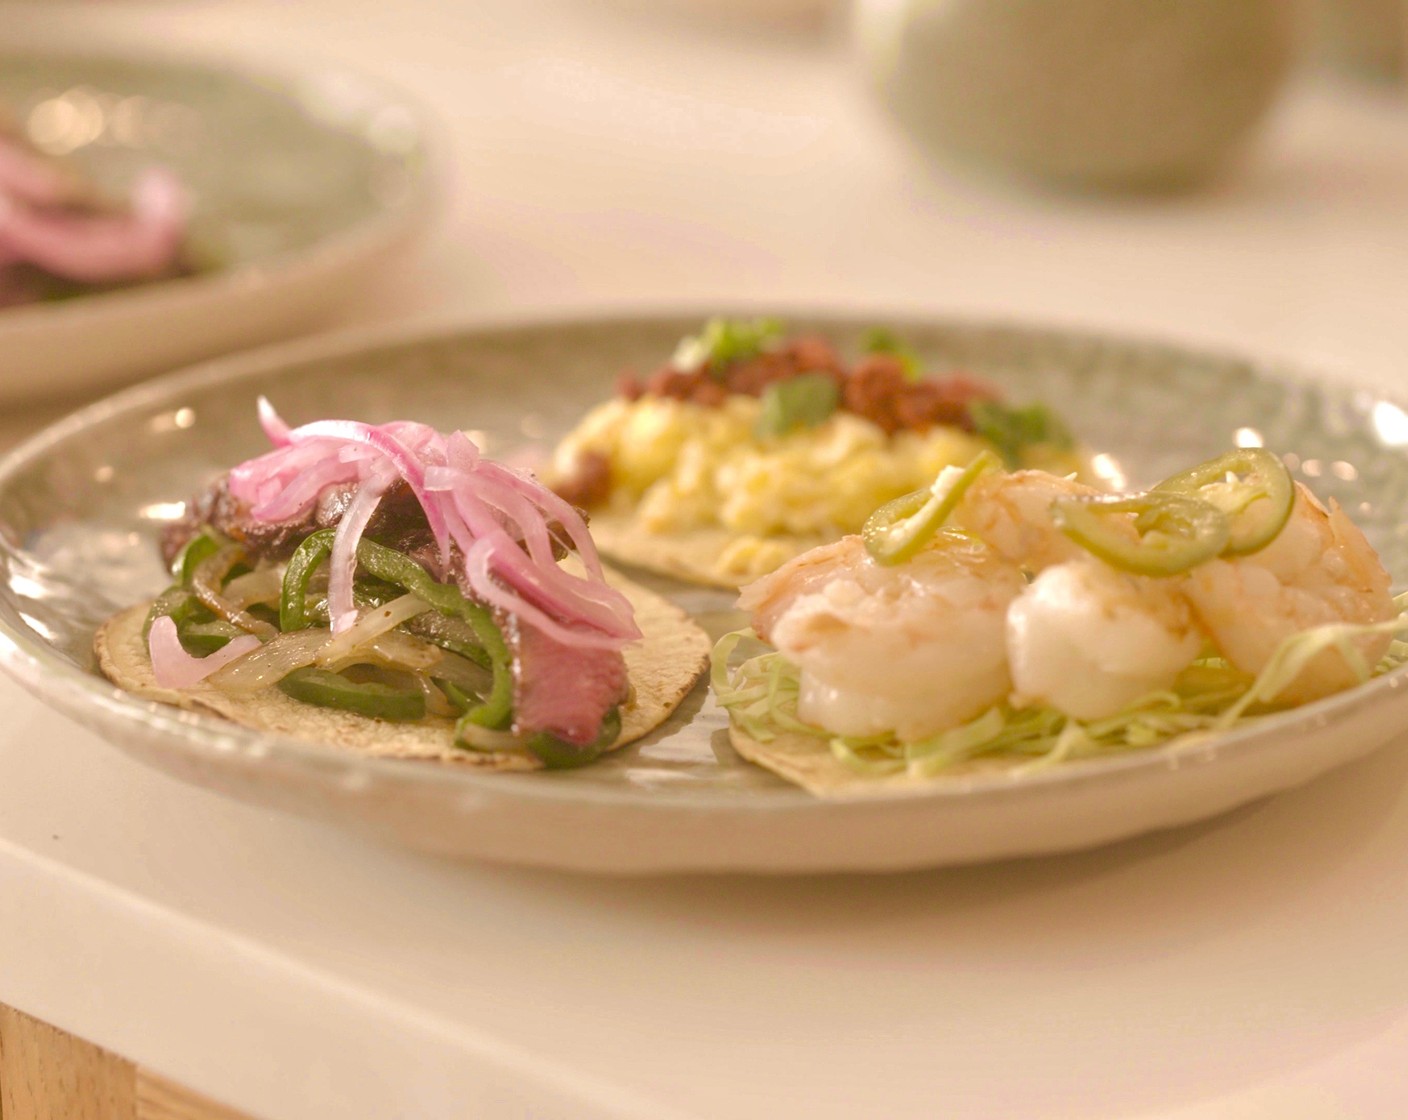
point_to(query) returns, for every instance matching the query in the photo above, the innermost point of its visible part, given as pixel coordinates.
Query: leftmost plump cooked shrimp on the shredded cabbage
(913, 649)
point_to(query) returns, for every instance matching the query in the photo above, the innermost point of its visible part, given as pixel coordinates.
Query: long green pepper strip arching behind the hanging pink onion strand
(392, 567)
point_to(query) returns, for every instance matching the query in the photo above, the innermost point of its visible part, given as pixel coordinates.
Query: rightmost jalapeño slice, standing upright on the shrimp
(1251, 487)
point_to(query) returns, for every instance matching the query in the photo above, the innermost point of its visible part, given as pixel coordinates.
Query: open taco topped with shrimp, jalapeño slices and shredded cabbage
(1019, 621)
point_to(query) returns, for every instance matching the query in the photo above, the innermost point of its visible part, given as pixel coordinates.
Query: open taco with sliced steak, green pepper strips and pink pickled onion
(389, 590)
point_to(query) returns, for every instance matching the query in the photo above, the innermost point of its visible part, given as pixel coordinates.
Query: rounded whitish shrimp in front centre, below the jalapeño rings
(1089, 640)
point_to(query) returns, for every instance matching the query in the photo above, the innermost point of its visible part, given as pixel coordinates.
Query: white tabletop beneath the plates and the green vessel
(1251, 967)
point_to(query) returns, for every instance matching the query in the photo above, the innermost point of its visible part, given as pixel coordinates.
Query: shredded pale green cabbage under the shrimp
(761, 697)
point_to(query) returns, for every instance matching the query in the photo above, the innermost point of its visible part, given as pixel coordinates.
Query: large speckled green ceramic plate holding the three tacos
(81, 506)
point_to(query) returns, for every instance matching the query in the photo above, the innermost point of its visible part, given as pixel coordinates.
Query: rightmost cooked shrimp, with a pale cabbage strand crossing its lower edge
(1320, 570)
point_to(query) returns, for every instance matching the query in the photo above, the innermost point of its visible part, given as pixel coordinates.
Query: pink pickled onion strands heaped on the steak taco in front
(499, 519)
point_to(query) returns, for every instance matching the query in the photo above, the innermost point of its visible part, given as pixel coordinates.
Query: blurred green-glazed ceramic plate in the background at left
(305, 188)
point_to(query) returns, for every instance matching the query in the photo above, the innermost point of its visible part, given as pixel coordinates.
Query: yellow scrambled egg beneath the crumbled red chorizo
(682, 467)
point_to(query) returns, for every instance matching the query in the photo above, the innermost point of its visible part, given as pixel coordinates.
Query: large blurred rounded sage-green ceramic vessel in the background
(1089, 94)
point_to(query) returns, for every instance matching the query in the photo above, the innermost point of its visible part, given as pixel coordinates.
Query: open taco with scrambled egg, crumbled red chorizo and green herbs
(750, 447)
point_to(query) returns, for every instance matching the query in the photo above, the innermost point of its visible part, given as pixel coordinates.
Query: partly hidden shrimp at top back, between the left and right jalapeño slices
(1013, 515)
